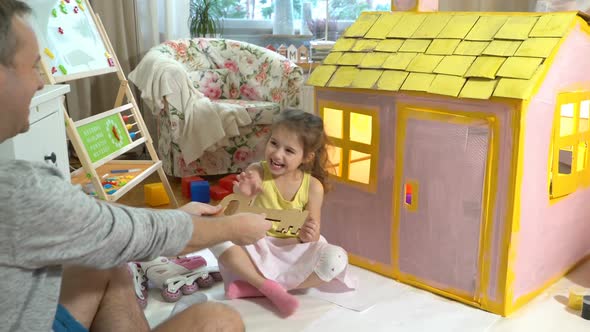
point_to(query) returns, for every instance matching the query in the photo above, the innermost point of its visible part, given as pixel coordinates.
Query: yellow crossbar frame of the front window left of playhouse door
(347, 145)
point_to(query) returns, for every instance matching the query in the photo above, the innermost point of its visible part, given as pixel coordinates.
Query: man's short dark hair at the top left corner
(8, 40)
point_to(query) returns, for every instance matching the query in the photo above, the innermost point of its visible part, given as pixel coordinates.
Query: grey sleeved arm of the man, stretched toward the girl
(47, 221)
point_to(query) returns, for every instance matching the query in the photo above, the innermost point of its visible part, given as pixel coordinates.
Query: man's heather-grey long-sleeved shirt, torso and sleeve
(45, 223)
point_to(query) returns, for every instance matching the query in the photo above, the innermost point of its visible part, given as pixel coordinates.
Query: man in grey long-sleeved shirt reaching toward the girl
(46, 223)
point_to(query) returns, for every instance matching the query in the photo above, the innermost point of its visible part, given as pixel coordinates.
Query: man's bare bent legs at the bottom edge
(104, 300)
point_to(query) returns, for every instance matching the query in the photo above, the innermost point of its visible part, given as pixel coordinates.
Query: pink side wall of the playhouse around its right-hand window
(552, 237)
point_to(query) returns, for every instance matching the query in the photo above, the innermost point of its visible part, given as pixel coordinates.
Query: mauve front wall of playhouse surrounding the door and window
(361, 221)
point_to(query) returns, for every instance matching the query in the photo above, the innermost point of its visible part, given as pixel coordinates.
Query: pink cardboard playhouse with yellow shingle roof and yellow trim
(460, 142)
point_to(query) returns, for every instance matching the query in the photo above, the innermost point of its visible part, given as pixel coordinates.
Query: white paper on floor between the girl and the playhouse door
(372, 289)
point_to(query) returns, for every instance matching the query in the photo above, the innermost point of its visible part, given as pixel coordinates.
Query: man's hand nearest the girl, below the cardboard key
(247, 228)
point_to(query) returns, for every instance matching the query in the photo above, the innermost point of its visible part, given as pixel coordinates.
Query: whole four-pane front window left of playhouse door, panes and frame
(354, 144)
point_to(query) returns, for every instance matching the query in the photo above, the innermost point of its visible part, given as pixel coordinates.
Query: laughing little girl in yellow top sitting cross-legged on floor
(291, 176)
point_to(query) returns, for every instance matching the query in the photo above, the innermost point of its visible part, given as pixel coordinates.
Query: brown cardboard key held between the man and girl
(286, 221)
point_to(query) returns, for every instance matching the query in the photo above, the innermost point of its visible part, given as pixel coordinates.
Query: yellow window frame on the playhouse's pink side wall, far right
(564, 184)
